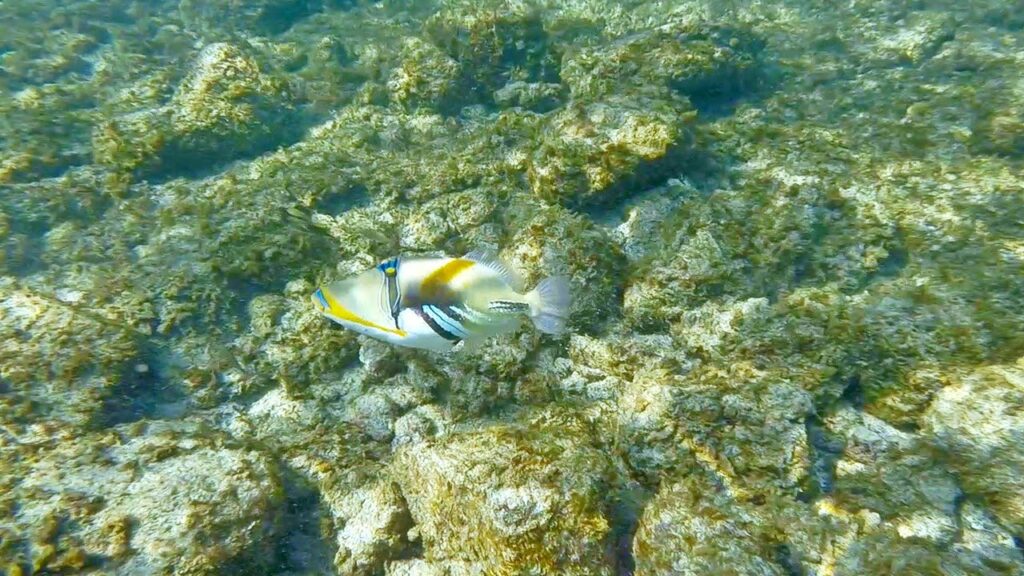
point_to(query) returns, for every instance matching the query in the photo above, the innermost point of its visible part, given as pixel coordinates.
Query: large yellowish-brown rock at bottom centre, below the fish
(511, 498)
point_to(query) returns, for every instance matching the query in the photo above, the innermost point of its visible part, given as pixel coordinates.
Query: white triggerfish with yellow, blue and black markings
(439, 304)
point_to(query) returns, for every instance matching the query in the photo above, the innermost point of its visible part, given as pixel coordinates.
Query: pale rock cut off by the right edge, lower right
(978, 422)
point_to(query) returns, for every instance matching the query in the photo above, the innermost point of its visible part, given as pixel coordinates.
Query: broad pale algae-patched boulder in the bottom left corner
(150, 499)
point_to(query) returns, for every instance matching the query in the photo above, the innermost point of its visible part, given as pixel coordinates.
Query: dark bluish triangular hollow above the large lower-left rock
(145, 392)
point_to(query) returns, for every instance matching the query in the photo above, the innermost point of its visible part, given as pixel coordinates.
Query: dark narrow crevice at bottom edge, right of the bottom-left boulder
(303, 550)
